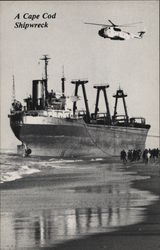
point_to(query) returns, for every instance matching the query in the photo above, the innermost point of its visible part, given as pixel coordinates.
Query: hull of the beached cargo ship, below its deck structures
(58, 137)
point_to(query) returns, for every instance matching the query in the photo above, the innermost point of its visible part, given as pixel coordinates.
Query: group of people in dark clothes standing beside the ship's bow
(136, 155)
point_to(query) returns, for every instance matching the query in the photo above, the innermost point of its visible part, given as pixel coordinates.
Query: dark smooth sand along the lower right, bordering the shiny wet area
(141, 236)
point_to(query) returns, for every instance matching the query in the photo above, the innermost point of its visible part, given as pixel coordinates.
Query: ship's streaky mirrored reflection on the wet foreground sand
(53, 226)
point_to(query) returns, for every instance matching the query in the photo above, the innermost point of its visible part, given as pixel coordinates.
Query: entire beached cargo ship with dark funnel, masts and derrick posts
(46, 126)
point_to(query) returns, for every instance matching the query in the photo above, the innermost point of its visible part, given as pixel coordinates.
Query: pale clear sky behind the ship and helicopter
(133, 65)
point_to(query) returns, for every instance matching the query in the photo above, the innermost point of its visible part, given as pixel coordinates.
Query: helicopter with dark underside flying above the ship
(114, 32)
